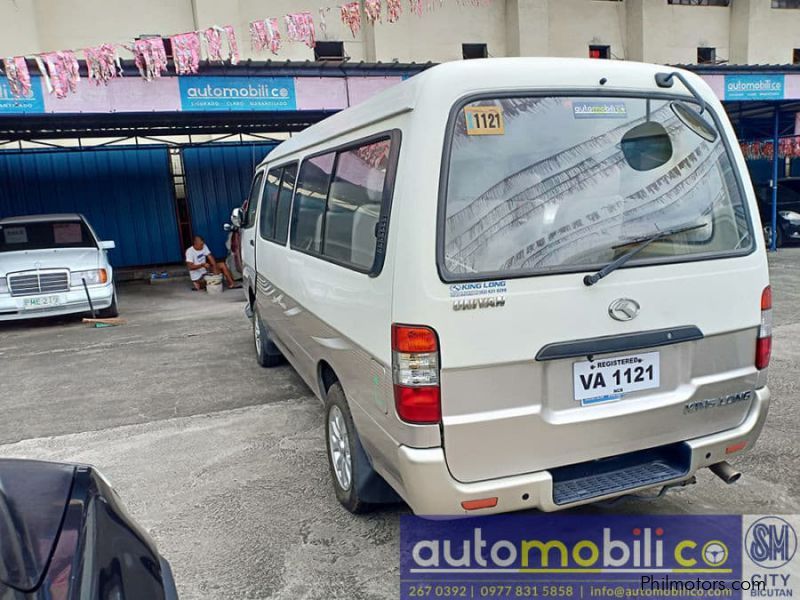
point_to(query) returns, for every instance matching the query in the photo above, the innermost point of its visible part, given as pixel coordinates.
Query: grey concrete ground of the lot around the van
(224, 462)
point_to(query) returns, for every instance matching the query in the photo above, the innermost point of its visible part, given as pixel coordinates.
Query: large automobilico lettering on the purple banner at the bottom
(640, 550)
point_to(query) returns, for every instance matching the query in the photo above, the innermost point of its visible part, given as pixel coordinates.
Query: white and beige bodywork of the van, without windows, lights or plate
(508, 418)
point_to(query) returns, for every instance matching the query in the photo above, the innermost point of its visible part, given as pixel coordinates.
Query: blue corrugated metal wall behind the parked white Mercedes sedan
(126, 194)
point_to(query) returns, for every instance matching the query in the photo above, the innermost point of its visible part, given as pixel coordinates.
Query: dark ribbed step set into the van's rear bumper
(593, 479)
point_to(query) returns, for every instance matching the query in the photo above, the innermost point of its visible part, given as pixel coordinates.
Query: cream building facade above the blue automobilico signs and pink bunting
(661, 31)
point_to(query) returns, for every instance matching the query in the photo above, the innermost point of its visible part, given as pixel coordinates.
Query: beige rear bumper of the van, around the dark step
(429, 488)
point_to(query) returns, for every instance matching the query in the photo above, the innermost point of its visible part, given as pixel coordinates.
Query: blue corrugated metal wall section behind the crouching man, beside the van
(217, 180)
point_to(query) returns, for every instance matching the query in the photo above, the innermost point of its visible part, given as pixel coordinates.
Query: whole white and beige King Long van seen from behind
(517, 283)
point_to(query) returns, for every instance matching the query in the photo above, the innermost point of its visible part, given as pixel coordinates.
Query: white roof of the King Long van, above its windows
(459, 78)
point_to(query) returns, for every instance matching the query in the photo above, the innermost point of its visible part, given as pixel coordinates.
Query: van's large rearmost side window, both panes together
(338, 204)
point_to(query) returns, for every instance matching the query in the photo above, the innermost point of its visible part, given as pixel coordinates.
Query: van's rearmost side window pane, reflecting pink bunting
(354, 204)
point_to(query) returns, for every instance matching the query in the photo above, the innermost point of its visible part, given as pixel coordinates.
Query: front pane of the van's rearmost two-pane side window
(309, 204)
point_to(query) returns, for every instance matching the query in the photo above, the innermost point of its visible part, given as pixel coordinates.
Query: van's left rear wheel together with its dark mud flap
(359, 488)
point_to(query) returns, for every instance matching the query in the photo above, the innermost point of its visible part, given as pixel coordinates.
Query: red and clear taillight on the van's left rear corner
(415, 371)
